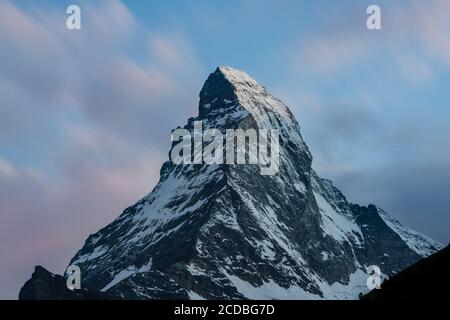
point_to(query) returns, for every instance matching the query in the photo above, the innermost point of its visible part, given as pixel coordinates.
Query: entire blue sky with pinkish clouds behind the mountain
(86, 115)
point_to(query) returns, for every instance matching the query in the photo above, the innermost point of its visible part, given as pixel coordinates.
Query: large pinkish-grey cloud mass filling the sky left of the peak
(84, 125)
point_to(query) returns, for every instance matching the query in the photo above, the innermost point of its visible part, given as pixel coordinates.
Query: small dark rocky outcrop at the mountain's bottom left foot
(45, 285)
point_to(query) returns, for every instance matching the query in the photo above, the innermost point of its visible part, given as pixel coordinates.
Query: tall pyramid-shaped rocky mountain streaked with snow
(226, 231)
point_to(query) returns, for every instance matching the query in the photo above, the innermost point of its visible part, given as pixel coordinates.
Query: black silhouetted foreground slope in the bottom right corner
(428, 279)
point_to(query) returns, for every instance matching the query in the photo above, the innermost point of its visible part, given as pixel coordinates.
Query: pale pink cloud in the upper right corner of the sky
(414, 35)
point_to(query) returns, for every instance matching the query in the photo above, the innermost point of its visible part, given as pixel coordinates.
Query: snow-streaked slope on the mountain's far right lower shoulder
(417, 242)
